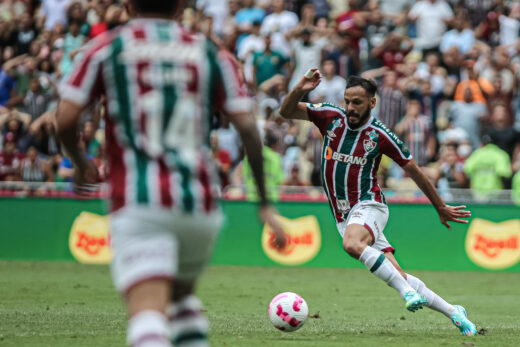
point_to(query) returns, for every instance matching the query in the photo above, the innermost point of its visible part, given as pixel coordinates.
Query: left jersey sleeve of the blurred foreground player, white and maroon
(83, 83)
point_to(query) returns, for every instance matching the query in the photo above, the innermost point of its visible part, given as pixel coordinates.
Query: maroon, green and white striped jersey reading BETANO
(351, 157)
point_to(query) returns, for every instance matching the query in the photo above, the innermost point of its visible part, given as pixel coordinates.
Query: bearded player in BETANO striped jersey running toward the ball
(354, 142)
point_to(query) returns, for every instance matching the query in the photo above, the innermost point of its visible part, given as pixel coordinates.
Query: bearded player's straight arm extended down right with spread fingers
(446, 213)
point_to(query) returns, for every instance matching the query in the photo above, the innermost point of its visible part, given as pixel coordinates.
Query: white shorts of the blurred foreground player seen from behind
(155, 243)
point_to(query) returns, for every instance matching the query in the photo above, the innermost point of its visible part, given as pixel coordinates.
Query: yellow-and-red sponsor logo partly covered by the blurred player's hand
(303, 241)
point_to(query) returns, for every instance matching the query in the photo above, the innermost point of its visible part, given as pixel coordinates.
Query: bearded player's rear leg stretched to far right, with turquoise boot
(456, 313)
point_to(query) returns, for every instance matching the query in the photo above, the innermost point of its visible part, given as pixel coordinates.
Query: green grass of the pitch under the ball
(67, 304)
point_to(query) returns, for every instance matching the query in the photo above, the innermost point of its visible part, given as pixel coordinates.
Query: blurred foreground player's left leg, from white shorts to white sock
(143, 267)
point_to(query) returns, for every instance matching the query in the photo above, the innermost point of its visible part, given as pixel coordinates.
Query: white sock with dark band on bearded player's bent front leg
(377, 263)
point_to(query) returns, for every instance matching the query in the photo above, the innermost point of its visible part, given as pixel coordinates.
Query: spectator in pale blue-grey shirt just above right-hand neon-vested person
(468, 115)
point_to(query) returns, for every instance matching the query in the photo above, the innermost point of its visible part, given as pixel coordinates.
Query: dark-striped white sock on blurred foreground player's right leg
(188, 325)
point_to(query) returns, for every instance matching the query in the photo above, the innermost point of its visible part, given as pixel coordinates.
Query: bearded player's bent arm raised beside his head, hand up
(291, 107)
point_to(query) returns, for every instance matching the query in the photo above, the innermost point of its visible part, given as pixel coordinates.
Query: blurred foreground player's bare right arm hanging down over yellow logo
(246, 127)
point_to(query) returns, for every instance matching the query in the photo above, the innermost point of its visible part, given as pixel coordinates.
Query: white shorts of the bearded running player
(373, 216)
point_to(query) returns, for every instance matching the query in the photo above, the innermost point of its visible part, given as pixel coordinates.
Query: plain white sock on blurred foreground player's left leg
(148, 329)
